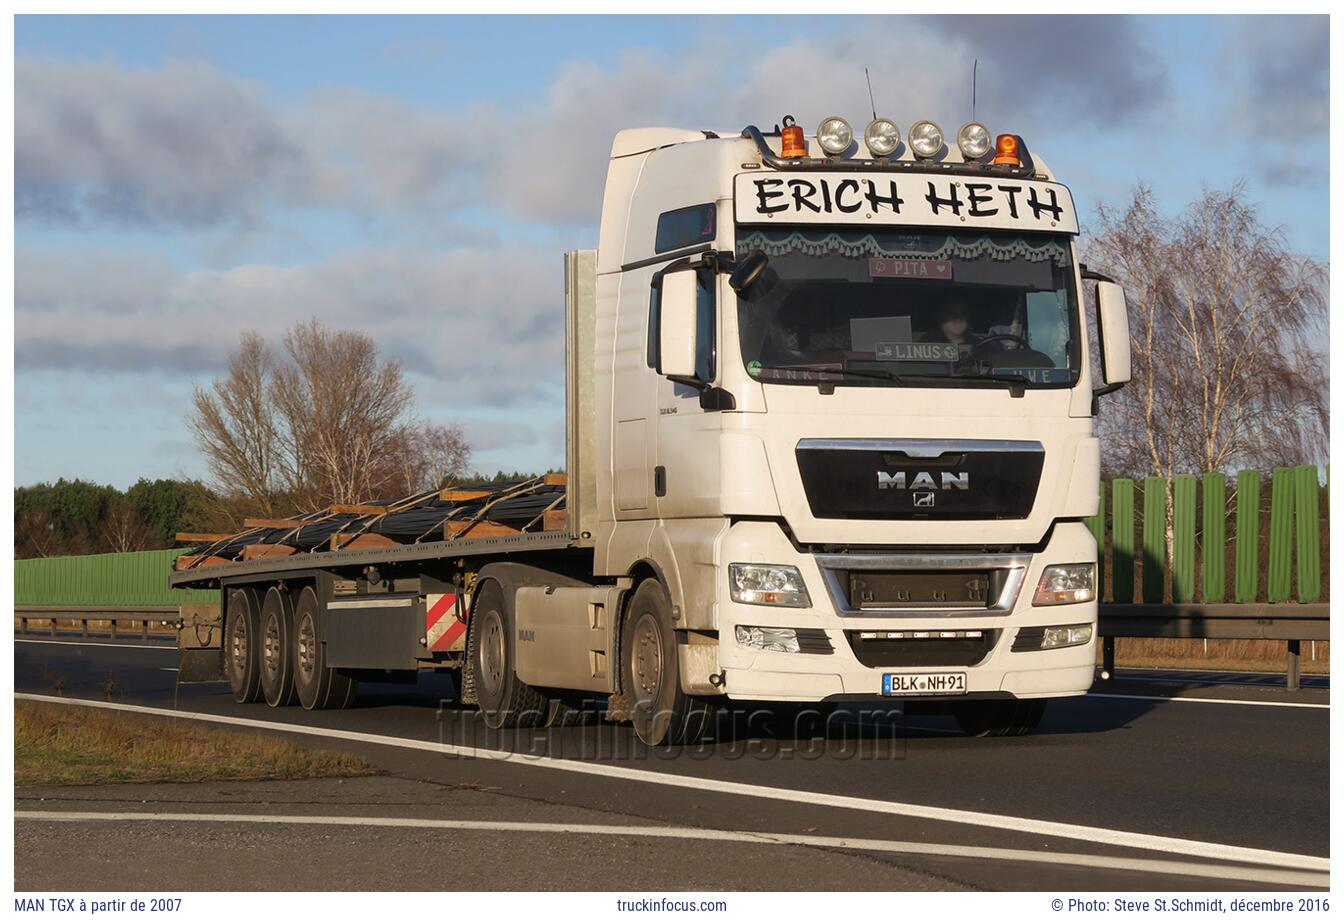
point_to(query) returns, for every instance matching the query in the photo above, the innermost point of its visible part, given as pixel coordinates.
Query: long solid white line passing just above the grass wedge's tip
(1132, 840)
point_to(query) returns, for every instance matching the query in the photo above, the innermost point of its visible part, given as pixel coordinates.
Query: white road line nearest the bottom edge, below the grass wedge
(905, 848)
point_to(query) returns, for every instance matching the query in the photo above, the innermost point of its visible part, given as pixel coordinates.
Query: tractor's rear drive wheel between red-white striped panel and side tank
(503, 699)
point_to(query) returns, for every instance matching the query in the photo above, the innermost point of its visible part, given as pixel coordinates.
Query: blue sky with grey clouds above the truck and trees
(182, 179)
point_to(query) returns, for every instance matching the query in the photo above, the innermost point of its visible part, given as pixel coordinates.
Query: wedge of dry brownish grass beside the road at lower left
(77, 746)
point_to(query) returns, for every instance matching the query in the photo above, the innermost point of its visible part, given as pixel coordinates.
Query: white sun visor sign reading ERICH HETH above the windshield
(917, 201)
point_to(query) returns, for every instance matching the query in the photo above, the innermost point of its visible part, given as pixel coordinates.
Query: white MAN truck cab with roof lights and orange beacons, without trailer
(843, 416)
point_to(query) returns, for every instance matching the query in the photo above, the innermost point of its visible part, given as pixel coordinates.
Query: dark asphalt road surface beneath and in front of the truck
(1190, 765)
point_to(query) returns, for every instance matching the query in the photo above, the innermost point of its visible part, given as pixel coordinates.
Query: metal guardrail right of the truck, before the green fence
(1286, 623)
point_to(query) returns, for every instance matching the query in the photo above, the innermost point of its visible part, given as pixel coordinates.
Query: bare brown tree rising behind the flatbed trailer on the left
(327, 421)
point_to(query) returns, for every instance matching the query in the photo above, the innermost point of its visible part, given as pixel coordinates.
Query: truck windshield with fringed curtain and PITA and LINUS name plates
(928, 308)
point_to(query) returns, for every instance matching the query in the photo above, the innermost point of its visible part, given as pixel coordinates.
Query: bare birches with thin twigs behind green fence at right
(1228, 331)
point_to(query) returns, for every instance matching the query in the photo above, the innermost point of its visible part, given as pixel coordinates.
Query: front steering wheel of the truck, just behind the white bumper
(651, 674)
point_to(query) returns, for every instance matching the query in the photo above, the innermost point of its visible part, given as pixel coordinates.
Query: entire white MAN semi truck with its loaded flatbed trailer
(830, 439)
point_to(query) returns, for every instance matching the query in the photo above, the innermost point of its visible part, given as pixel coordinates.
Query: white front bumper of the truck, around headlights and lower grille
(802, 676)
